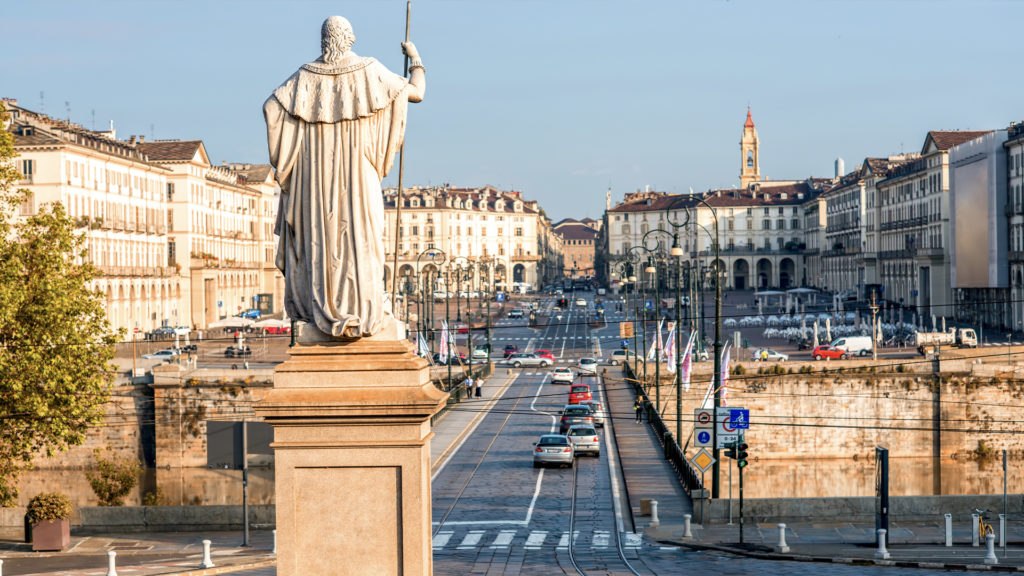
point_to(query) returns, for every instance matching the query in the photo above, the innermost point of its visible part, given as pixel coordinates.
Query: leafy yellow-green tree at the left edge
(56, 344)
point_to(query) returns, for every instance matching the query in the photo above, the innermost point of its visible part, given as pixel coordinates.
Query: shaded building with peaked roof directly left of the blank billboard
(914, 228)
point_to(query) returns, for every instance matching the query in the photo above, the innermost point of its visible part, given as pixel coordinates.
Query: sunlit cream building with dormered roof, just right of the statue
(508, 238)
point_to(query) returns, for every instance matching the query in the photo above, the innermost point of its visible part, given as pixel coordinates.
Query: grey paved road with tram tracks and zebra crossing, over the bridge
(495, 514)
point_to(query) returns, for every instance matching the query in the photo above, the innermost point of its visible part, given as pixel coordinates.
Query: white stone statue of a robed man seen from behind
(333, 129)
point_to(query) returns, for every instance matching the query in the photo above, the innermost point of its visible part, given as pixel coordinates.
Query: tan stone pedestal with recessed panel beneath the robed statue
(352, 439)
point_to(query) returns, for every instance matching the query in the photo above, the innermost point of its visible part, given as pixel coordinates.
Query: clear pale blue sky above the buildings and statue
(560, 100)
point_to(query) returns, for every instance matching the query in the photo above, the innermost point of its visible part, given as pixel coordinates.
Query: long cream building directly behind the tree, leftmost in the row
(117, 195)
